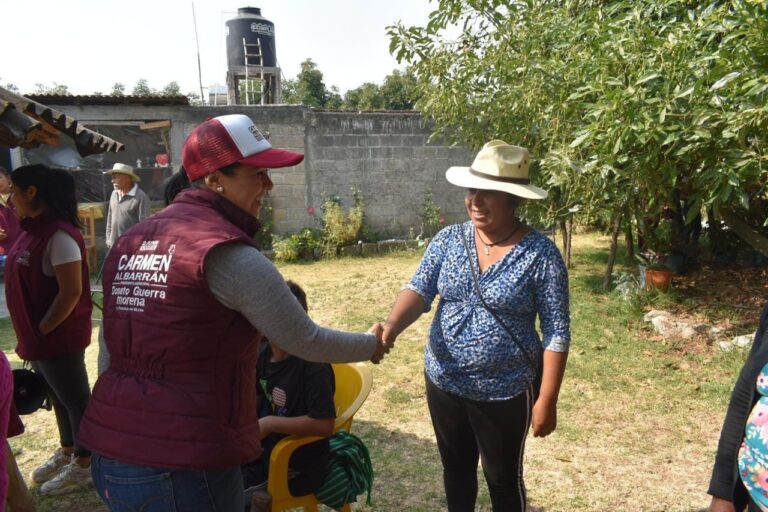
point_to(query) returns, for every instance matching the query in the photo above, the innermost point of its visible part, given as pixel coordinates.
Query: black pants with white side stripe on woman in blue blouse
(492, 431)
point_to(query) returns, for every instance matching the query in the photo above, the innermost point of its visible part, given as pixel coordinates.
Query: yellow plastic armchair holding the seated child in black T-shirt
(353, 384)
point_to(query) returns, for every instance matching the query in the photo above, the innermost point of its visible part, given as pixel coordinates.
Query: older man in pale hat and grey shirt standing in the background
(128, 204)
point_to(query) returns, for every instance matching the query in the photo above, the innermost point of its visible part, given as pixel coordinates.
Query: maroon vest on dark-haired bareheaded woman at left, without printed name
(29, 293)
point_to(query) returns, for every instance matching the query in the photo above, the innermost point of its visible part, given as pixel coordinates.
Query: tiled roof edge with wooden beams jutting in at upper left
(26, 123)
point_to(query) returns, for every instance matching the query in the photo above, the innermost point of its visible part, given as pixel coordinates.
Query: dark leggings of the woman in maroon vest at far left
(69, 392)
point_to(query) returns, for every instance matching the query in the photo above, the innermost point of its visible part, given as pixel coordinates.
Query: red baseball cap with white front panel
(225, 140)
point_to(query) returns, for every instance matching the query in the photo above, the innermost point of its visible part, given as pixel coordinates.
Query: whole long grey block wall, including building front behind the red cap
(385, 155)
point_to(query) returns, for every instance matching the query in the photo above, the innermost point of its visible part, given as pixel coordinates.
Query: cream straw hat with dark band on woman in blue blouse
(498, 166)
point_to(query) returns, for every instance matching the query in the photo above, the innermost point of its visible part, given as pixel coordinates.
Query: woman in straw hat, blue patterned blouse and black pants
(489, 375)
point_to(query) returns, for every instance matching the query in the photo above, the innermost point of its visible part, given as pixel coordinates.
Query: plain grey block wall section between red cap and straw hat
(387, 157)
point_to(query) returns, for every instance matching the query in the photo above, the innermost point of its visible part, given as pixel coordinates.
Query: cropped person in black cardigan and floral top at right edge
(740, 474)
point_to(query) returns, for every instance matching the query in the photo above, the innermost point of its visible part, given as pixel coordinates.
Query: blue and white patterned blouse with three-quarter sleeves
(469, 354)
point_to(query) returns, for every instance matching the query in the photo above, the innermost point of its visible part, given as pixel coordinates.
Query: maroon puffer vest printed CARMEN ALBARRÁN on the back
(179, 391)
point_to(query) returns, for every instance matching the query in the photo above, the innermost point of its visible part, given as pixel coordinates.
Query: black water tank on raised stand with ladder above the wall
(253, 77)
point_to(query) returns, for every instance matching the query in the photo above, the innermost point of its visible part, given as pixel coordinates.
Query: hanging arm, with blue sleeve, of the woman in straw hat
(551, 296)
